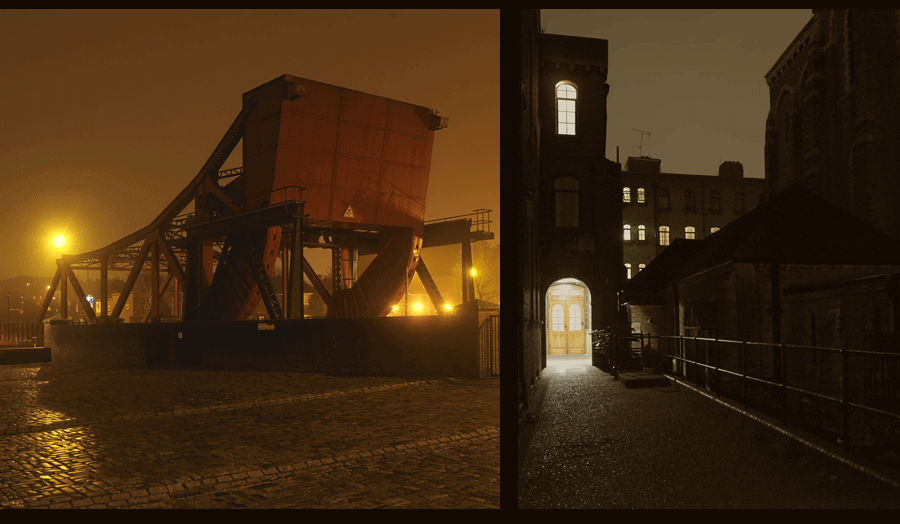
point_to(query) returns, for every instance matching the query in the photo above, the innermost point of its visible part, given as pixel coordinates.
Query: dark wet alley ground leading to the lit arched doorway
(596, 444)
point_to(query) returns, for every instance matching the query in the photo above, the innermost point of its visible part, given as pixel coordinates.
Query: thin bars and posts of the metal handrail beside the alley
(845, 353)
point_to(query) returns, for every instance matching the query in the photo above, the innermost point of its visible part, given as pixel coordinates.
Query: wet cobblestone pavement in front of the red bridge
(196, 439)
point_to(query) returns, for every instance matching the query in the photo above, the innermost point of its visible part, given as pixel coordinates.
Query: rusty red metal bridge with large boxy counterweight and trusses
(324, 167)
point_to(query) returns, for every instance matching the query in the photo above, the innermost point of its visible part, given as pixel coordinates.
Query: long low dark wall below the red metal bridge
(407, 346)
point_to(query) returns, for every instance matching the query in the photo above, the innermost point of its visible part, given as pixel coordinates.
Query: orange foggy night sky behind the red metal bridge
(107, 115)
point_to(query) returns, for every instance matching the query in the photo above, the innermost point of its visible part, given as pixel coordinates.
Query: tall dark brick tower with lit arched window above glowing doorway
(580, 239)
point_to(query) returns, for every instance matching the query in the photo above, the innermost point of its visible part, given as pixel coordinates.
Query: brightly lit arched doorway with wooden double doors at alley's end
(568, 313)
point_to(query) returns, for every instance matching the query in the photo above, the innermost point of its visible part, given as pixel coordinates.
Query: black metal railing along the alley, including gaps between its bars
(805, 385)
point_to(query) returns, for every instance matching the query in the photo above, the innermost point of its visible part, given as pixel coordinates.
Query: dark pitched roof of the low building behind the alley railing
(794, 226)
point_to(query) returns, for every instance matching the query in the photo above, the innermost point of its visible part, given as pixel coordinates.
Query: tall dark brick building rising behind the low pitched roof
(834, 119)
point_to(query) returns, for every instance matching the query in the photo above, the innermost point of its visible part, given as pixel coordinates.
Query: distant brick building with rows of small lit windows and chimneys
(659, 207)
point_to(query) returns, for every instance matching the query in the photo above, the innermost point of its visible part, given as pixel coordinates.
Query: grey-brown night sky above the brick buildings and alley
(693, 78)
